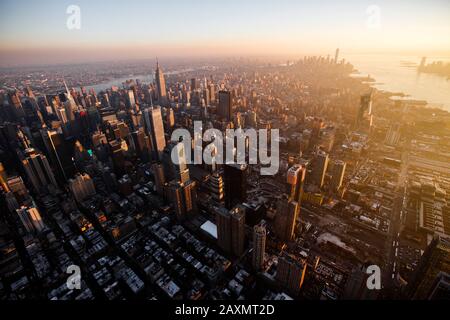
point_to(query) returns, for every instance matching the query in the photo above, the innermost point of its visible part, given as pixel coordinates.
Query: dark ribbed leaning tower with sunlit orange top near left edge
(38, 170)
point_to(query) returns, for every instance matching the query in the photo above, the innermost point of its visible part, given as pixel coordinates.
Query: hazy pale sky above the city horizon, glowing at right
(36, 32)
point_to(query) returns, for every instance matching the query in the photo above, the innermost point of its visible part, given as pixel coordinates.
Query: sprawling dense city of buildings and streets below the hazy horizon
(104, 197)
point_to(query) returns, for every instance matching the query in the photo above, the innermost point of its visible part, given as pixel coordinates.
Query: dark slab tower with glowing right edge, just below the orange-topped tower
(286, 218)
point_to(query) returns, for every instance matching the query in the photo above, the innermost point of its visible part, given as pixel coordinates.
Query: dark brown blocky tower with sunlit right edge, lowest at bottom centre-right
(290, 272)
